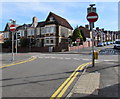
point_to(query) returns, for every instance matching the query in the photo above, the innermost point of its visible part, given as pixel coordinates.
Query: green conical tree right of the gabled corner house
(76, 34)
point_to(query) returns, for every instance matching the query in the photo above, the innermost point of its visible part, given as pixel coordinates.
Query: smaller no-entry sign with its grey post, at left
(12, 29)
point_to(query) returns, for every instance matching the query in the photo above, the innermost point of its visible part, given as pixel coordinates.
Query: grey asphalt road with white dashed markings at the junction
(44, 75)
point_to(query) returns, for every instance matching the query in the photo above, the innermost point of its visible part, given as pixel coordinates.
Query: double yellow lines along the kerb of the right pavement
(62, 89)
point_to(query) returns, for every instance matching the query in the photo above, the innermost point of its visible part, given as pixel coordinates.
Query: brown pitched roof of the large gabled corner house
(61, 21)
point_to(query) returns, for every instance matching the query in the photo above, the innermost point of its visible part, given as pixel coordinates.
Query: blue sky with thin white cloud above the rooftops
(74, 12)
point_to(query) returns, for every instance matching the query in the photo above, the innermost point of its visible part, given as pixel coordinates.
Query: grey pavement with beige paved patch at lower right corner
(97, 82)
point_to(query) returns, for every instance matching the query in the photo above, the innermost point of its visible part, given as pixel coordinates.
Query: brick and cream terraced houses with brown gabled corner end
(53, 32)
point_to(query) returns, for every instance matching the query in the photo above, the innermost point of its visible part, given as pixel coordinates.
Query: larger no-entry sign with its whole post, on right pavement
(92, 17)
